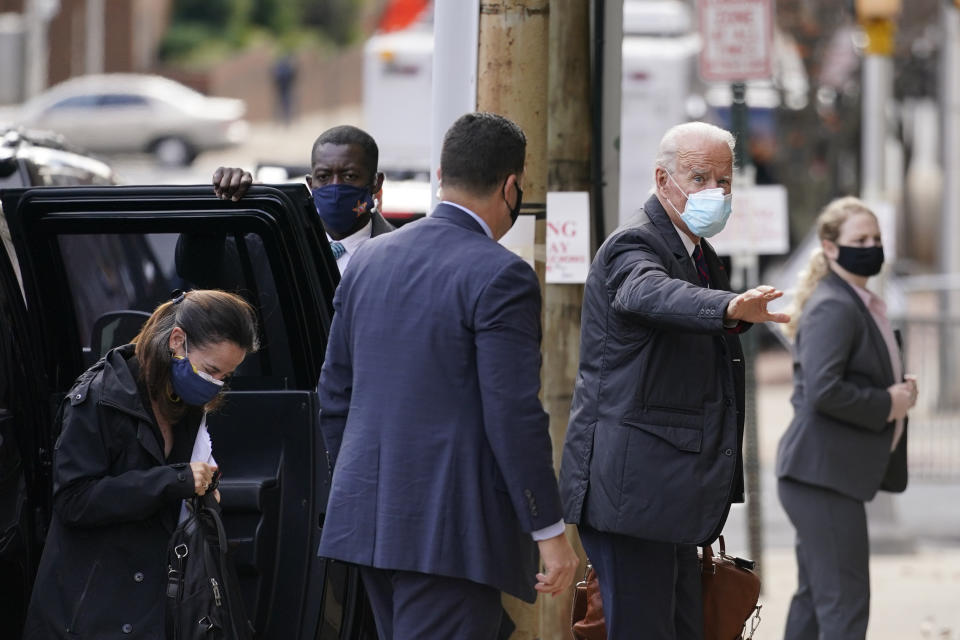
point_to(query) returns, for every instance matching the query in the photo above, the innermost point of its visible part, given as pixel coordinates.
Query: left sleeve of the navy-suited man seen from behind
(336, 381)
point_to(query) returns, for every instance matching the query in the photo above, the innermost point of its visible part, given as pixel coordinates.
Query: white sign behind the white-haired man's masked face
(759, 224)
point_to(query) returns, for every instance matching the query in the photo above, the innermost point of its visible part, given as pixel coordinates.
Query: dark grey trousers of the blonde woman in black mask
(832, 601)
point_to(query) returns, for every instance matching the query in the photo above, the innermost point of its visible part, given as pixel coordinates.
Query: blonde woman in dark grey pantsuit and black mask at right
(848, 436)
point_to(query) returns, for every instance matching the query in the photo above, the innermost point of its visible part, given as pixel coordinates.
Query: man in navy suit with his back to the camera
(442, 467)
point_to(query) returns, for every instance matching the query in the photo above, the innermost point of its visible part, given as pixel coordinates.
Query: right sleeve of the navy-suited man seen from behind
(507, 324)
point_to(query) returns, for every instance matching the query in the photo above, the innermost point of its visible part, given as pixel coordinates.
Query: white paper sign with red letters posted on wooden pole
(568, 236)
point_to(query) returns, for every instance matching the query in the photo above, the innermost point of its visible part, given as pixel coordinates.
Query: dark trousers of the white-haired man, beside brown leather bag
(650, 590)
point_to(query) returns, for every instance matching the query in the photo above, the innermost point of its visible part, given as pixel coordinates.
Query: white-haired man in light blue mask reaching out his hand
(652, 459)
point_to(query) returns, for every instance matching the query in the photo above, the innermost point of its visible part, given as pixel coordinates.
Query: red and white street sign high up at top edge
(737, 40)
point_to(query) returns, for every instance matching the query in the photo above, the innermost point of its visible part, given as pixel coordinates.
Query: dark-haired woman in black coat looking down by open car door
(133, 445)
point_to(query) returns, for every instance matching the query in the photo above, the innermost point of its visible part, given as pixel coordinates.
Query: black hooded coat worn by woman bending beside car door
(103, 570)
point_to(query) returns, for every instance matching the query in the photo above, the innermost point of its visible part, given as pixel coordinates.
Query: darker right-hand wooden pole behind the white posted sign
(568, 169)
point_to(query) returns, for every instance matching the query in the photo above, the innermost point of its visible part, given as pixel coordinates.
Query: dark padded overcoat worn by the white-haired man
(653, 447)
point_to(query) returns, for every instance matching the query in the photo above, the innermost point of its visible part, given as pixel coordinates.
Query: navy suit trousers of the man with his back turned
(409, 606)
